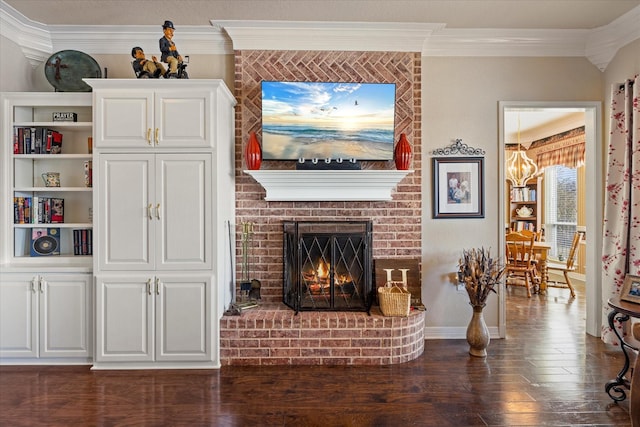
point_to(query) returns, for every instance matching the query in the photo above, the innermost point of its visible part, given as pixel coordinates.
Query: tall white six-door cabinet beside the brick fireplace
(164, 203)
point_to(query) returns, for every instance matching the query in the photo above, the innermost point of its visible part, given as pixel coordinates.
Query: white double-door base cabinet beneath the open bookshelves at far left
(45, 318)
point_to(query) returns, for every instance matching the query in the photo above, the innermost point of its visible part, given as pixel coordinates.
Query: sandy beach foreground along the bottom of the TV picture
(288, 147)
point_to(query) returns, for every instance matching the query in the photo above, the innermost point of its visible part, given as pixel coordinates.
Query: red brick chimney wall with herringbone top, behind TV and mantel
(396, 223)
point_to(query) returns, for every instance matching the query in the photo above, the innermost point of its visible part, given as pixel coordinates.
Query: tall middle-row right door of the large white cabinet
(183, 200)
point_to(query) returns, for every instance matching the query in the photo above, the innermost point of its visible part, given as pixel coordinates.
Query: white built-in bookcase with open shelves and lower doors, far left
(45, 298)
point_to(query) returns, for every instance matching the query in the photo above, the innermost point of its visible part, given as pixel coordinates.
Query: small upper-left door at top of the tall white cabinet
(124, 119)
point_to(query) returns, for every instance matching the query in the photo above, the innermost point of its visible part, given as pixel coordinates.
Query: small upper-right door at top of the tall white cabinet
(183, 119)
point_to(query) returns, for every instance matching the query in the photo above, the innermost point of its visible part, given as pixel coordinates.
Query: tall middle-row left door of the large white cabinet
(125, 209)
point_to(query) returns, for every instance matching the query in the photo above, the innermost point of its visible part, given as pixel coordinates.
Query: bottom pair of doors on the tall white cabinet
(163, 318)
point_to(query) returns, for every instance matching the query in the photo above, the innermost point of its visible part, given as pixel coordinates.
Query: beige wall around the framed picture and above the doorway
(460, 100)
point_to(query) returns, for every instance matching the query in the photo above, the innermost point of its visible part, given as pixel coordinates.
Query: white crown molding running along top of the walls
(599, 45)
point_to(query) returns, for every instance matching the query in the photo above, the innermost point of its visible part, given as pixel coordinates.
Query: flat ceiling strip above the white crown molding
(530, 14)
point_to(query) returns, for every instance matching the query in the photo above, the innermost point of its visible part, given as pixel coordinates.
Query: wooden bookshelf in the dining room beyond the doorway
(524, 206)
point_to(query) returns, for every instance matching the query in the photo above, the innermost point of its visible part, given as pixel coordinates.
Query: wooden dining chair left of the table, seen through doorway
(520, 268)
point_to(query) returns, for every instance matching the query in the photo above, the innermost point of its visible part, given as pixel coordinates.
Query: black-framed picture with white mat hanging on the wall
(458, 187)
